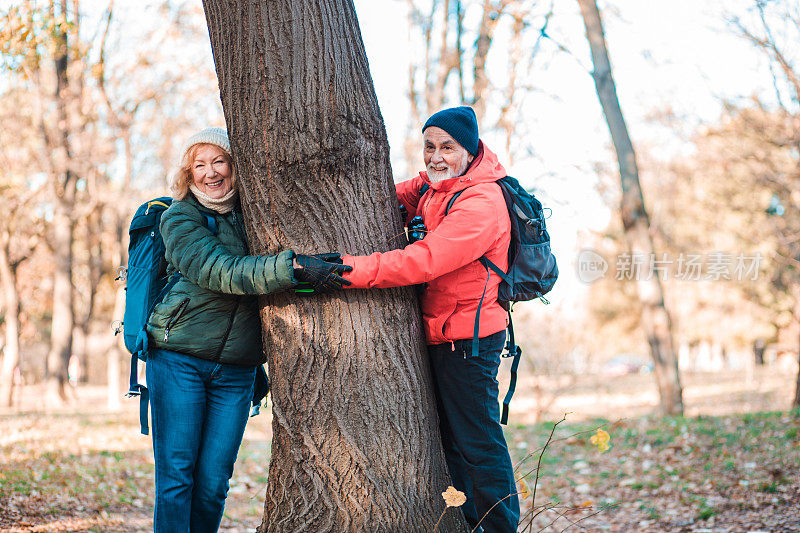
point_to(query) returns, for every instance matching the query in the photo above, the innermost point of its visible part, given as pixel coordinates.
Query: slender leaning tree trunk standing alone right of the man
(655, 317)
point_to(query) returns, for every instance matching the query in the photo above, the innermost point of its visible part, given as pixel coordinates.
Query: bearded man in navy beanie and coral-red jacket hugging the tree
(446, 259)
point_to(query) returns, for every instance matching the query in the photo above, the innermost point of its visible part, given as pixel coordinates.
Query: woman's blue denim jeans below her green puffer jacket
(199, 411)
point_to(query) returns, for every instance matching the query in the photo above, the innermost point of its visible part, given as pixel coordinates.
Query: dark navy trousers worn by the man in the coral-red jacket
(469, 422)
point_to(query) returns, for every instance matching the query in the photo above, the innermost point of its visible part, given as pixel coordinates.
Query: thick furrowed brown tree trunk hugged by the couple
(355, 441)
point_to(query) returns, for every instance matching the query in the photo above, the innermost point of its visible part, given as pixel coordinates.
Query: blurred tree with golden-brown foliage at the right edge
(744, 178)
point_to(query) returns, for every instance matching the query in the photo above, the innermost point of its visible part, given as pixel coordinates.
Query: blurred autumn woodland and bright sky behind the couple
(97, 96)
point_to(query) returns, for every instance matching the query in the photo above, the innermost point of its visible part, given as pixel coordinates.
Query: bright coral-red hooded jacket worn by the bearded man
(447, 258)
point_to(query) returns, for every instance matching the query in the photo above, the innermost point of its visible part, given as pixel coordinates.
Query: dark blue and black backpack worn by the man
(532, 268)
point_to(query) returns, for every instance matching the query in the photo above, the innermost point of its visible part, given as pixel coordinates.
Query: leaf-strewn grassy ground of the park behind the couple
(731, 465)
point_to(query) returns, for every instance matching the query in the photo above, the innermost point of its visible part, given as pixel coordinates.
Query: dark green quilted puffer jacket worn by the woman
(212, 312)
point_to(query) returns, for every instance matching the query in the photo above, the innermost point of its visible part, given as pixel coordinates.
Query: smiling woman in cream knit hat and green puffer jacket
(206, 335)
